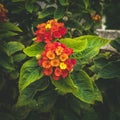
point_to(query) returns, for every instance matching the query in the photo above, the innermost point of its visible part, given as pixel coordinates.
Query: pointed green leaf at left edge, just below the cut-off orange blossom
(7, 26)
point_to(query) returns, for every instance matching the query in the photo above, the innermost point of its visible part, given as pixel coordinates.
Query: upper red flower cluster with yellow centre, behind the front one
(50, 30)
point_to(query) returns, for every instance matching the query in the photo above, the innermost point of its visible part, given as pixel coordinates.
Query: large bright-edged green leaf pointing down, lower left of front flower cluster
(29, 73)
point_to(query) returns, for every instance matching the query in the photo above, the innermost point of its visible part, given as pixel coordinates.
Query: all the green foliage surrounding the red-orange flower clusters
(90, 92)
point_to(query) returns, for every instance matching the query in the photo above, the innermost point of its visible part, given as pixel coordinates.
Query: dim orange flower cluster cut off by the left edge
(3, 12)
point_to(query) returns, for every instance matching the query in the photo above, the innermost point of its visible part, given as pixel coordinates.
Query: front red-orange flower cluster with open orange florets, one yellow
(55, 60)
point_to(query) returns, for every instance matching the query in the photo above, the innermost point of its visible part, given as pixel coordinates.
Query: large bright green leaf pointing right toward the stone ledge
(94, 43)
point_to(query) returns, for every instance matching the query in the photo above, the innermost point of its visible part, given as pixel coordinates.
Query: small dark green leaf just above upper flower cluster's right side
(59, 12)
